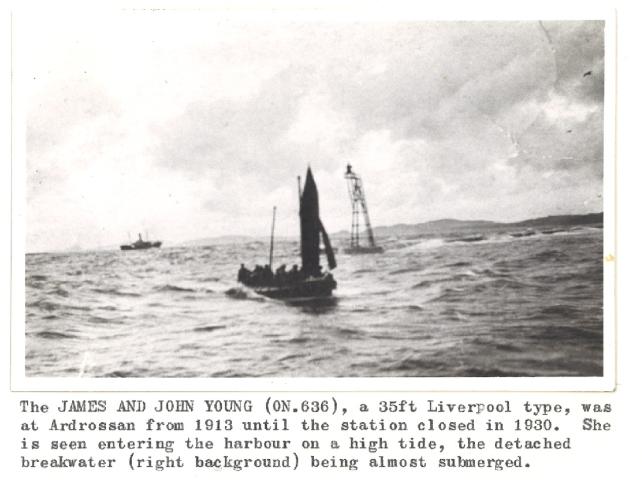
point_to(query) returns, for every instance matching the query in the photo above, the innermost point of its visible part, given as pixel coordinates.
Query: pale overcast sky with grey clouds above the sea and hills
(187, 125)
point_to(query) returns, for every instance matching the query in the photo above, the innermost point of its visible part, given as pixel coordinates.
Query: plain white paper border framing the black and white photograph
(19, 382)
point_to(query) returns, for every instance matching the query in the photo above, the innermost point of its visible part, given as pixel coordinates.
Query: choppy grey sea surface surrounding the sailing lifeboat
(472, 304)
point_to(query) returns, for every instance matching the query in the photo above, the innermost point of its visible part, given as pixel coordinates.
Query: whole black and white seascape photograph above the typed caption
(211, 195)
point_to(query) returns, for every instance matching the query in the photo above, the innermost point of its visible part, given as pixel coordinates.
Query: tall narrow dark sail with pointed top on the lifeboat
(309, 216)
